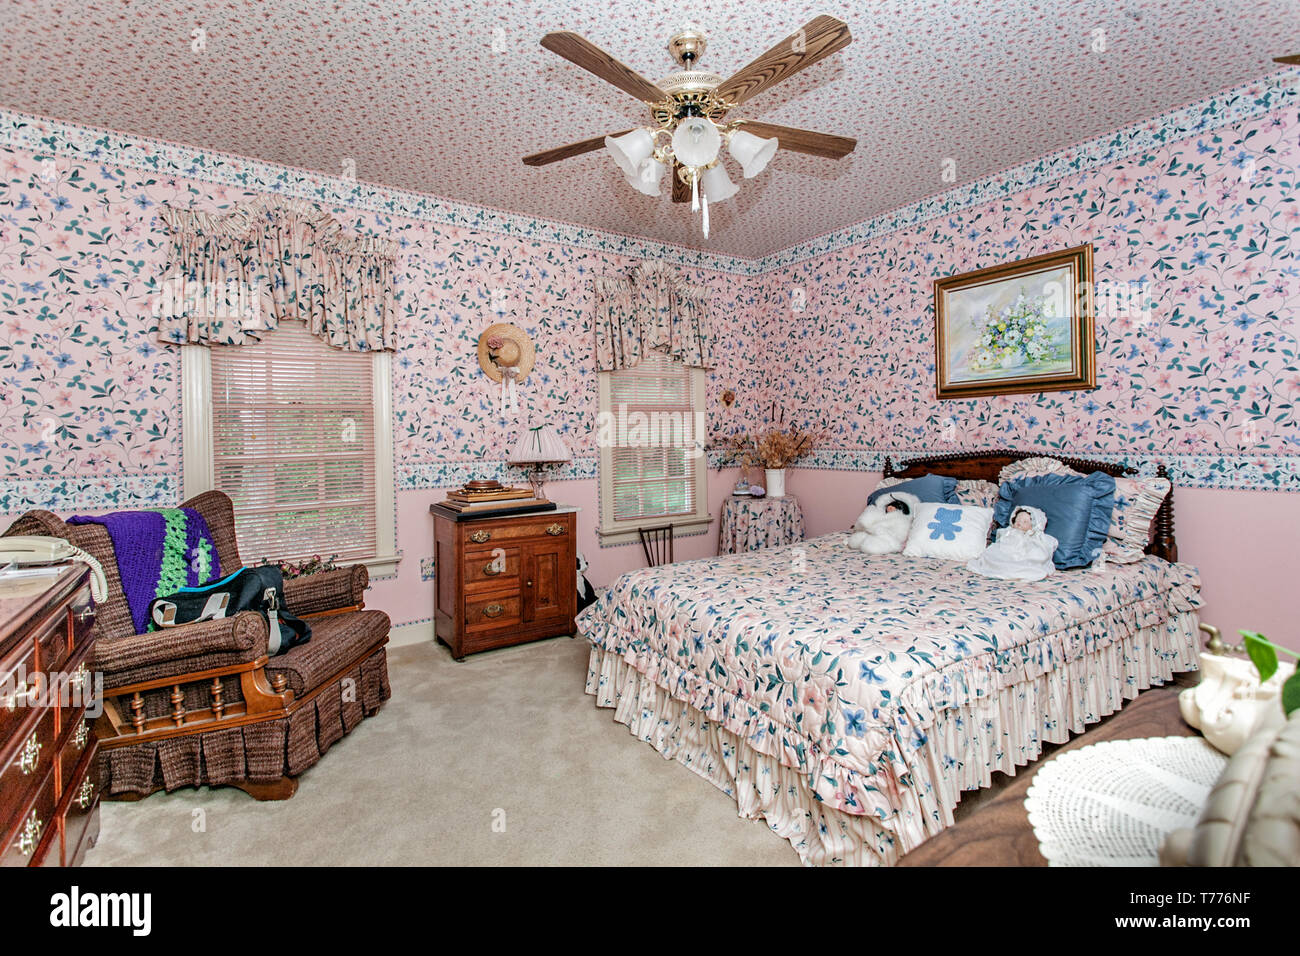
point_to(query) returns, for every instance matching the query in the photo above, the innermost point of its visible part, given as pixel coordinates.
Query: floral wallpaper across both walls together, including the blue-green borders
(1194, 218)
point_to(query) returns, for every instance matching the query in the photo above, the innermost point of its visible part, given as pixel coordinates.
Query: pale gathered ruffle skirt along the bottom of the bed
(967, 743)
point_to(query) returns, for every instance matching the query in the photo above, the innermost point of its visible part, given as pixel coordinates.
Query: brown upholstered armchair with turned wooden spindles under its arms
(203, 704)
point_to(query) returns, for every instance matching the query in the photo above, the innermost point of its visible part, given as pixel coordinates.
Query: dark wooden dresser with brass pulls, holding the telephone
(49, 791)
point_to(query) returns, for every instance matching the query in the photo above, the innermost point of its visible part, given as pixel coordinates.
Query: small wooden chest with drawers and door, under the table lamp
(504, 581)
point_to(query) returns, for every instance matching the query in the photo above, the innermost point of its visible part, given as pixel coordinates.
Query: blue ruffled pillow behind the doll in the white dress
(1078, 511)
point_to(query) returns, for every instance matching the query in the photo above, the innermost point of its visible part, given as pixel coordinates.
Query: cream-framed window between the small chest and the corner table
(653, 468)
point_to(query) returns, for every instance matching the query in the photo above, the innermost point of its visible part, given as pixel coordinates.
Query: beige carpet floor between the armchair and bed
(419, 785)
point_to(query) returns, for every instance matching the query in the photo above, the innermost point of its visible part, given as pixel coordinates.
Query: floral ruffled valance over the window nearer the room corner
(653, 308)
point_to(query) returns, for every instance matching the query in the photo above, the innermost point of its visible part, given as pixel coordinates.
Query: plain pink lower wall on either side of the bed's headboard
(1243, 543)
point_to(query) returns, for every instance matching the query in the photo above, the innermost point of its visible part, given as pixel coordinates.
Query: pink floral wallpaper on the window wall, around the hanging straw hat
(90, 403)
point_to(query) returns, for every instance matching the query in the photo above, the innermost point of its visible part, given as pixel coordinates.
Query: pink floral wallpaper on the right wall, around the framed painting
(1198, 271)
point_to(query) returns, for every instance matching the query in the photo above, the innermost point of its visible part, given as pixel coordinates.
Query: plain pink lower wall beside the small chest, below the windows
(408, 599)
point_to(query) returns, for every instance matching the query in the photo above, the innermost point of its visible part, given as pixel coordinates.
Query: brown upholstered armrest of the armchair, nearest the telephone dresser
(176, 652)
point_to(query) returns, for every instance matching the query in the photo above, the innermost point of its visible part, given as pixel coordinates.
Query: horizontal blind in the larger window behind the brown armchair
(293, 445)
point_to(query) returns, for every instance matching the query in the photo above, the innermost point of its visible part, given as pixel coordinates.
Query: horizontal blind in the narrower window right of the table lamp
(653, 460)
